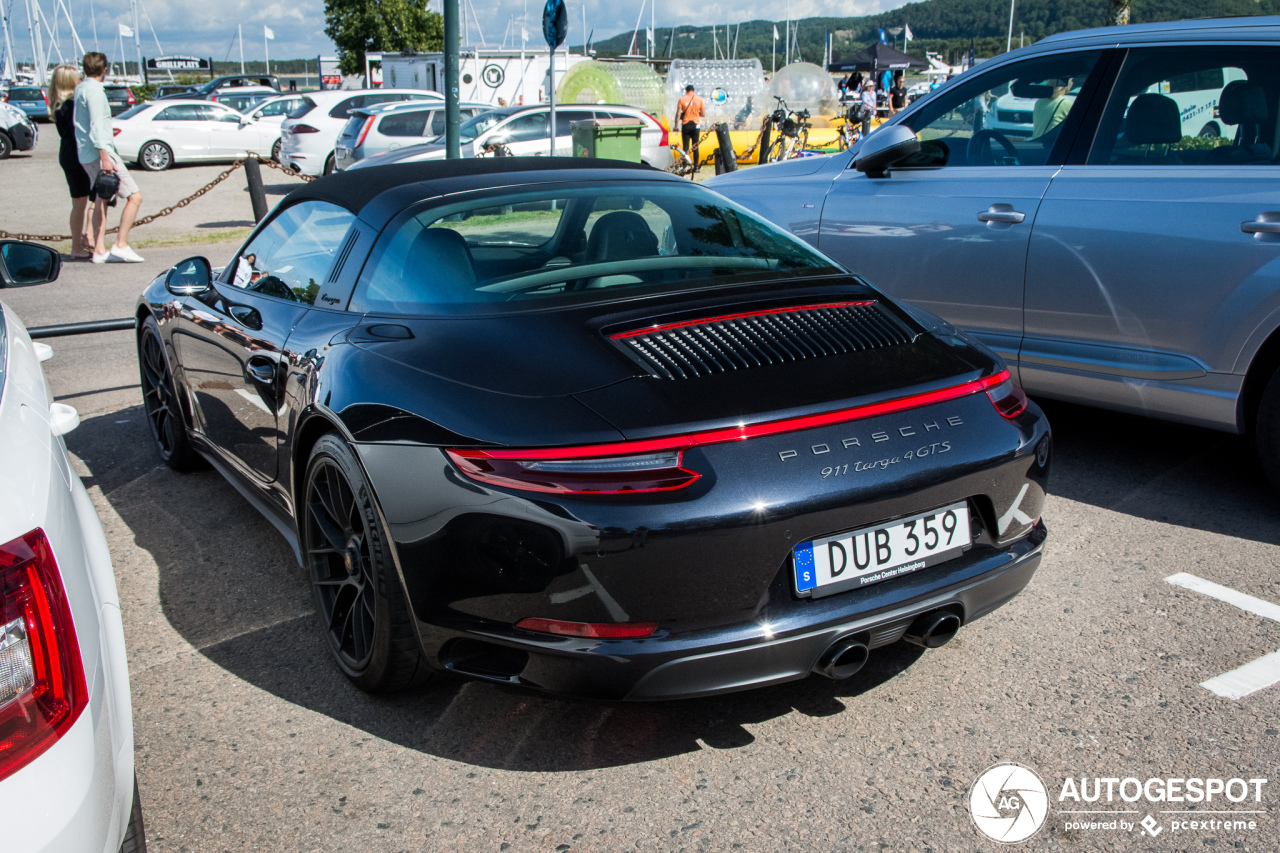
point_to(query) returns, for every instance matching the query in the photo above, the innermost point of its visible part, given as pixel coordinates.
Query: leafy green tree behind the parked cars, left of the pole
(360, 26)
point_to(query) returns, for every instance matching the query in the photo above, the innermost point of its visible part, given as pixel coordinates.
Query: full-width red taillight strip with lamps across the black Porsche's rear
(655, 464)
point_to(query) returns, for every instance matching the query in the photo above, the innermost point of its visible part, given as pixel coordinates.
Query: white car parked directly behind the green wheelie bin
(525, 131)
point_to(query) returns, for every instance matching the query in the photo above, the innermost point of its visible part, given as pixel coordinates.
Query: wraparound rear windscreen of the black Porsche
(574, 245)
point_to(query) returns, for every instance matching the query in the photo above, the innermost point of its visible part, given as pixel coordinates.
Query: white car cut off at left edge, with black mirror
(67, 781)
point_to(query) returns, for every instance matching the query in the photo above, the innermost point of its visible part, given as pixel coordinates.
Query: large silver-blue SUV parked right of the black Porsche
(1123, 253)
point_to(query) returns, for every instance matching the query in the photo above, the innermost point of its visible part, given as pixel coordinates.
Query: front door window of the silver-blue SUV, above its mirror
(1012, 116)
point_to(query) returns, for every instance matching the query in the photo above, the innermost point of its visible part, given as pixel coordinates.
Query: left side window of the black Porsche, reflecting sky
(292, 257)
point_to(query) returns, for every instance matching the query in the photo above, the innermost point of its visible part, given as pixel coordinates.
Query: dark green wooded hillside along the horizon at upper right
(944, 26)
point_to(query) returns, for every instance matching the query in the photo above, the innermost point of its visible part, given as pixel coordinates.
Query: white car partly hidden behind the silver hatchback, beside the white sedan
(309, 135)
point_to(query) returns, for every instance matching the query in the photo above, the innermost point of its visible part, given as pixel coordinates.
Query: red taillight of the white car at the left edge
(43, 686)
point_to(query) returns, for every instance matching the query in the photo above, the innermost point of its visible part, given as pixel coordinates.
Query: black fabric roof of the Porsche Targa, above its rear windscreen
(356, 189)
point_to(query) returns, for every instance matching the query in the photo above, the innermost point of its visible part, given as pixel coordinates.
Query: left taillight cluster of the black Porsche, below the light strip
(564, 472)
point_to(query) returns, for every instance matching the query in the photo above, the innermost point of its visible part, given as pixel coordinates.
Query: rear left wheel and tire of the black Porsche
(359, 597)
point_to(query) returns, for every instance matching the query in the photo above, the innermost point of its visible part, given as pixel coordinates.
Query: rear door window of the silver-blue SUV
(1192, 107)
